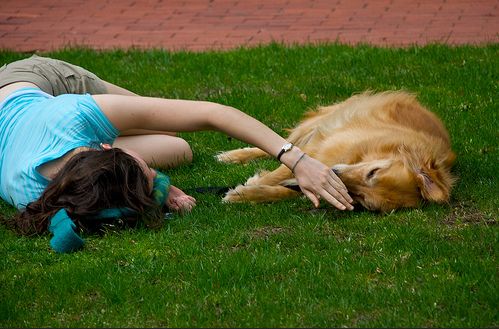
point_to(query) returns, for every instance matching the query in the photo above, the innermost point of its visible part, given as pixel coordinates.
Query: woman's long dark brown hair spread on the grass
(89, 182)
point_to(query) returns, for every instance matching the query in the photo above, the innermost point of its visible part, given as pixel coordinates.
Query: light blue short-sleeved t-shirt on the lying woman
(35, 128)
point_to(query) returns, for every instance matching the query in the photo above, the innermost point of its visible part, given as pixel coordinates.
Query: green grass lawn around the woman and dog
(283, 264)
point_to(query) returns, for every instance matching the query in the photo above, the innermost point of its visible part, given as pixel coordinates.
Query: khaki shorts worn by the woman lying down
(53, 76)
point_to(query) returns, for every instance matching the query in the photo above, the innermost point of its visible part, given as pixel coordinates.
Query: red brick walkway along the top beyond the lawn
(41, 25)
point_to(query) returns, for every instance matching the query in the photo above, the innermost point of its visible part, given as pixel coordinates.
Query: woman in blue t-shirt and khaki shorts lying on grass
(76, 151)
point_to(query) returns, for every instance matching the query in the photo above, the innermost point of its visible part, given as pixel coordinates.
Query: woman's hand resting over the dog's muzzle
(317, 180)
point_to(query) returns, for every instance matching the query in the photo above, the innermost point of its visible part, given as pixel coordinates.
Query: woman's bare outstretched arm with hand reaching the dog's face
(135, 112)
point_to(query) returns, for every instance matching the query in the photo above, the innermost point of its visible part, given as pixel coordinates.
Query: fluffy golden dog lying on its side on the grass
(389, 151)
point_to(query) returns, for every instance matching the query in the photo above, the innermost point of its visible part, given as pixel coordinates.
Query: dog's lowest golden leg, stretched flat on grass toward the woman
(258, 193)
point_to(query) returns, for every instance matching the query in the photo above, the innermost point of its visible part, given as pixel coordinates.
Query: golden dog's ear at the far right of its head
(432, 187)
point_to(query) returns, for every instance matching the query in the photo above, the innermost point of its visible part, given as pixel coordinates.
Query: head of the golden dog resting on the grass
(401, 181)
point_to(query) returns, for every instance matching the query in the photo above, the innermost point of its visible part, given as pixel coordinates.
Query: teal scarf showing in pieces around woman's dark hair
(65, 239)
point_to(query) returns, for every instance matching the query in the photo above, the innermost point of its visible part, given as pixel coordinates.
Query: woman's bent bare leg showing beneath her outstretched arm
(159, 151)
